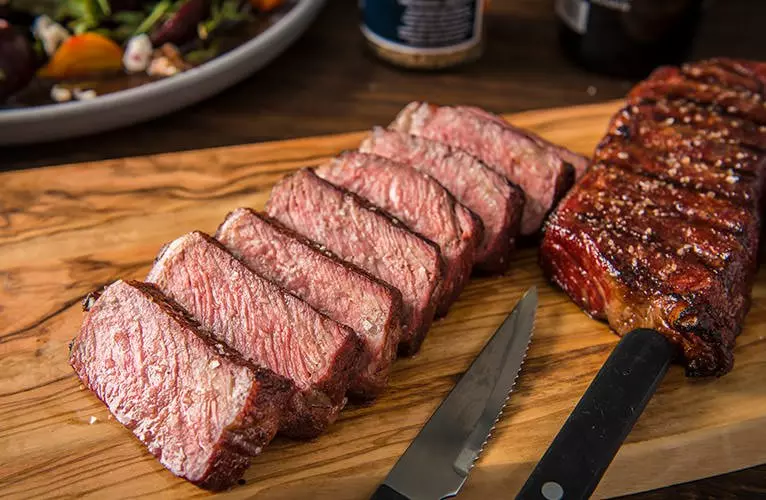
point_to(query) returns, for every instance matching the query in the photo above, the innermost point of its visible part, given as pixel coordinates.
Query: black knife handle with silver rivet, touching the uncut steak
(586, 444)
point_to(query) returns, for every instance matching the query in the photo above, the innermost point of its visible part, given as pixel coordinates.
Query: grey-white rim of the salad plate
(126, 107)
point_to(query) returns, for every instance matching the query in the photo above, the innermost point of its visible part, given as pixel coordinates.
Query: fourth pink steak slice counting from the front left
(361, 233)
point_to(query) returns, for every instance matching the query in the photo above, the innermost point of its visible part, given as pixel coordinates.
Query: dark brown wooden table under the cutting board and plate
(328, 83)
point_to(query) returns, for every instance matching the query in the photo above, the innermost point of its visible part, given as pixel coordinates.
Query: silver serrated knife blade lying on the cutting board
(438, 461)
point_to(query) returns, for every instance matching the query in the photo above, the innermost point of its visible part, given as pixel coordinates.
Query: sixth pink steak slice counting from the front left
(497, 202)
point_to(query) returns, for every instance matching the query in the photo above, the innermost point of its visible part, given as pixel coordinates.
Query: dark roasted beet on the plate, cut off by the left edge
(17, 60)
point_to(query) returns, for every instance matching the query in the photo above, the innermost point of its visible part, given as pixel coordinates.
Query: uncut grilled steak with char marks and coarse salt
(662, 232)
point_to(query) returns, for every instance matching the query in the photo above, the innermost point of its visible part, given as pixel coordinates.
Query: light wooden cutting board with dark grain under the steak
(67, 230)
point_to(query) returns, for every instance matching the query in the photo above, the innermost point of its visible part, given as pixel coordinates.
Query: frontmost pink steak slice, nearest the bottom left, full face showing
(197, 406)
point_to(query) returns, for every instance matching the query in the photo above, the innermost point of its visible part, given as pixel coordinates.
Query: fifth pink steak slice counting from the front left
(422, 204)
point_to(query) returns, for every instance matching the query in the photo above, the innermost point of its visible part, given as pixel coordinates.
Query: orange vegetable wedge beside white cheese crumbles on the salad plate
(83, 55)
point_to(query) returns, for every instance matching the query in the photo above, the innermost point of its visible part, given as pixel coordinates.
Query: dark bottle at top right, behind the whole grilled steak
(627, 38)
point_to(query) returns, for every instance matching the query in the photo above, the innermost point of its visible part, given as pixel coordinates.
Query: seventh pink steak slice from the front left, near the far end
(539, 170)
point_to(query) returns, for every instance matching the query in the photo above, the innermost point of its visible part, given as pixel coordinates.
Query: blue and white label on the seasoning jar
(422, 26)
